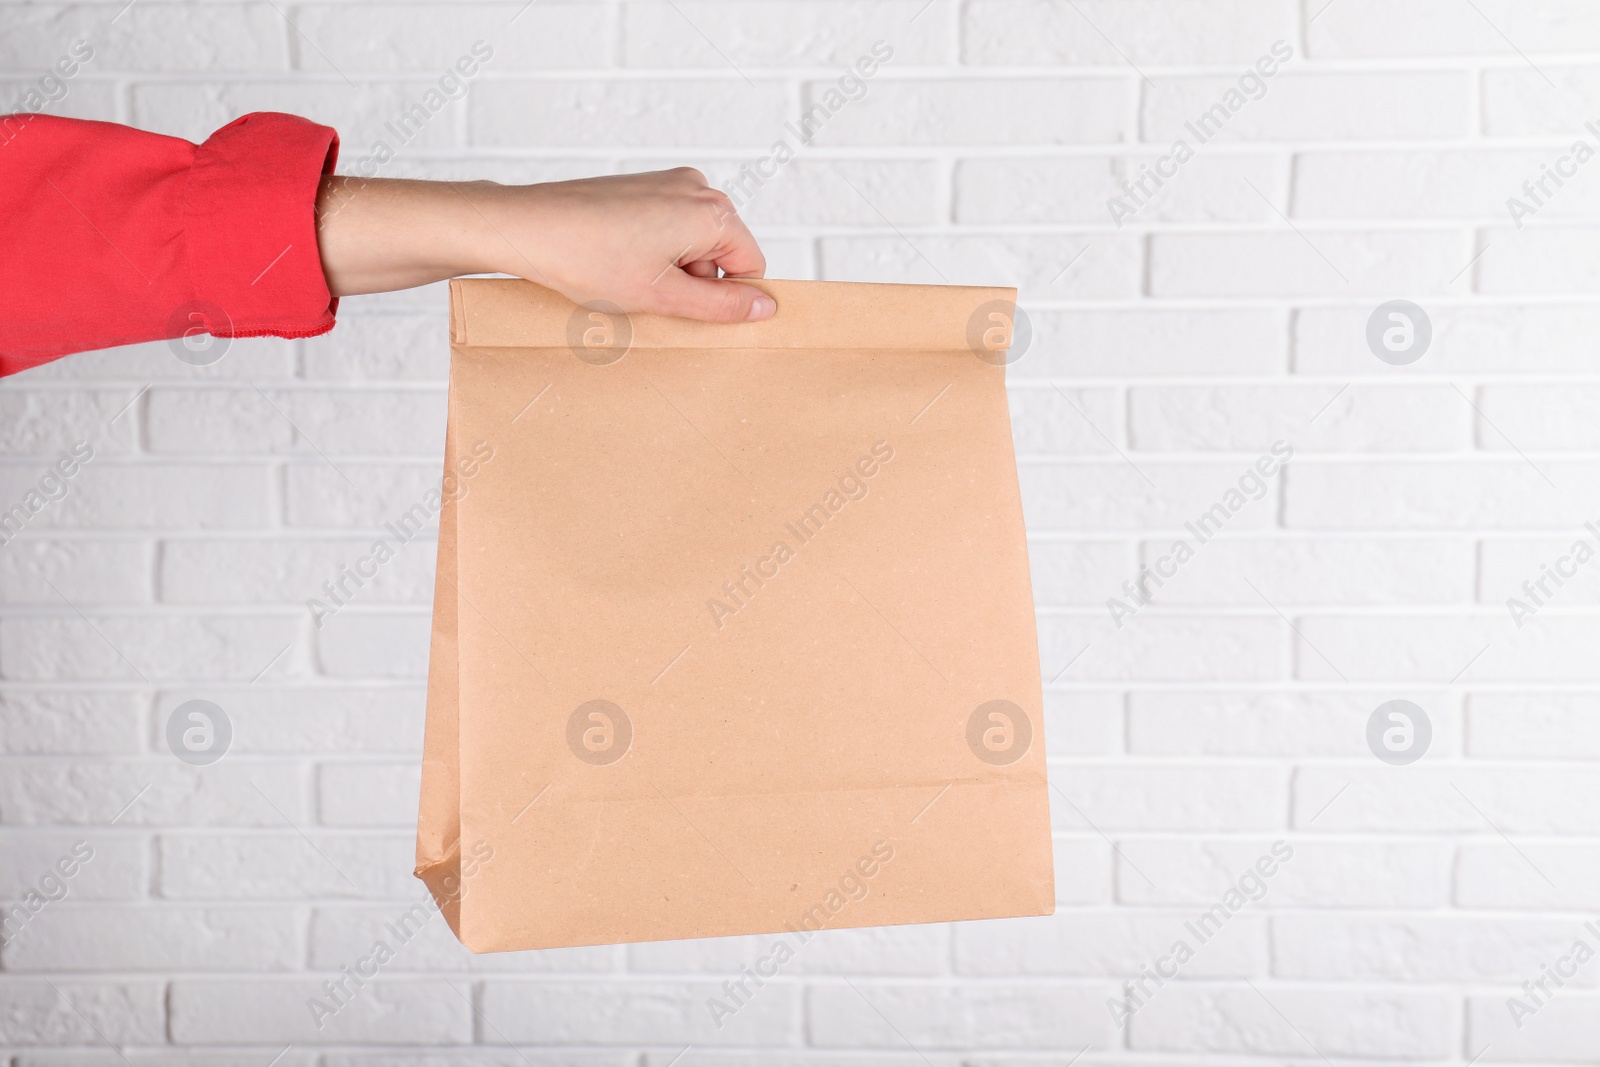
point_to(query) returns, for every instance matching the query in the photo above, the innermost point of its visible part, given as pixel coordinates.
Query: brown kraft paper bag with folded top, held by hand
(734, 629)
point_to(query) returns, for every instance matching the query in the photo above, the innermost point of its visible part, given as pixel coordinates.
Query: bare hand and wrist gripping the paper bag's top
(646, 242)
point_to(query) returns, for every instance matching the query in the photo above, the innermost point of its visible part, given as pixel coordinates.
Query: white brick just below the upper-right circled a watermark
(1311, 418)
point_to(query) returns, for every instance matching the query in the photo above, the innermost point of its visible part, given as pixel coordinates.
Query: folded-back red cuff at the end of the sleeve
(252, 228)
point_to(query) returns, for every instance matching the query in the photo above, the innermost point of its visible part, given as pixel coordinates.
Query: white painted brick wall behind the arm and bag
(1170, 353)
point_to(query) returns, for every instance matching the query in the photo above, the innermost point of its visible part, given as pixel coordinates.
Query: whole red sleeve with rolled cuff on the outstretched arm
(113, 236)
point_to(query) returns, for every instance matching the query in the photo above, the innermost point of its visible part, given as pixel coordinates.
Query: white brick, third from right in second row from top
(980, 111)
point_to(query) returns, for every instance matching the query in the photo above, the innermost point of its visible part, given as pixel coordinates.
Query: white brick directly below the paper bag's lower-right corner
(1092, 945)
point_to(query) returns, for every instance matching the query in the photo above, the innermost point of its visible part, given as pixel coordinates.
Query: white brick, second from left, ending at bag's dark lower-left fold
(286, 866)
